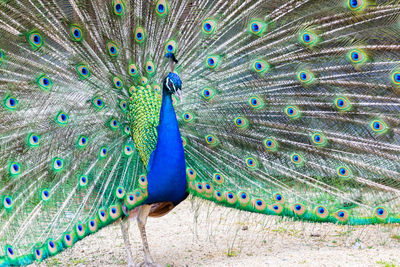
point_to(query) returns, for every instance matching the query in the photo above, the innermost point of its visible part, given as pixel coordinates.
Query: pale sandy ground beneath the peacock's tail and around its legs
(202, 234)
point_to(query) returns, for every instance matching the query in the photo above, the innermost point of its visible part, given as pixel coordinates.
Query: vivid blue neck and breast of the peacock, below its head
(167, 168)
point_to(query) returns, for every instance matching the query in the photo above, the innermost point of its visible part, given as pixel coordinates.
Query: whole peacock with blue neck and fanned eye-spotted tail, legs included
(118, 109)
